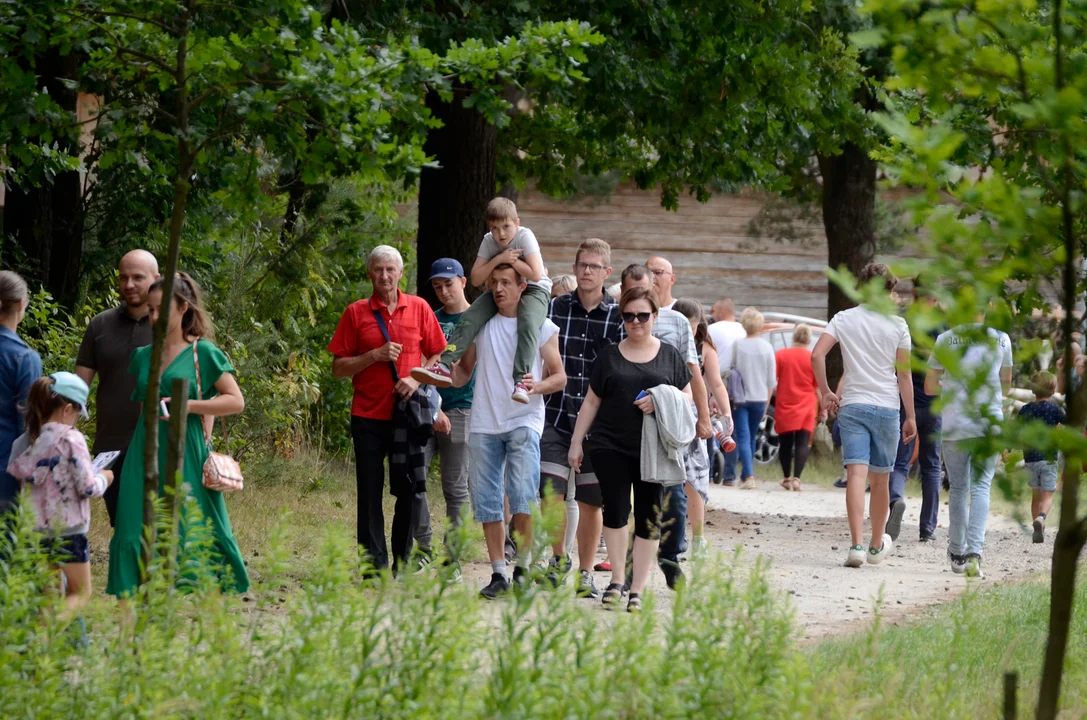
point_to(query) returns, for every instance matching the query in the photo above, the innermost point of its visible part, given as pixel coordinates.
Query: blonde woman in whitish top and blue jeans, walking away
(758, 368)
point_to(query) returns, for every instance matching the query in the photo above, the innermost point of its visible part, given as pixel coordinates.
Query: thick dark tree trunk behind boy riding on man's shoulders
(453, 198)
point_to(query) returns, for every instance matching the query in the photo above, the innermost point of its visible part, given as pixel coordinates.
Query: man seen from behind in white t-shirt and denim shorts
(876, 352)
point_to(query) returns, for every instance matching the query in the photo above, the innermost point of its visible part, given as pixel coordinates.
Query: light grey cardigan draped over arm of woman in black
(666, 436)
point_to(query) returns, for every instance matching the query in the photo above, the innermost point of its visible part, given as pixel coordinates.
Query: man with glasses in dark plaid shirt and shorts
(589, 319)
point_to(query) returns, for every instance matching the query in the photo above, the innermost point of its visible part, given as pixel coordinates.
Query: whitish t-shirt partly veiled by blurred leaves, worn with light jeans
(970, 415)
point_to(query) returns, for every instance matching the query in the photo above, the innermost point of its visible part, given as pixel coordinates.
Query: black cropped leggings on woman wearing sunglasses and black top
(618, 474)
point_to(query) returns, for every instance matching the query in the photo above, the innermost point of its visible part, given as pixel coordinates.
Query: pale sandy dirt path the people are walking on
(806, 538)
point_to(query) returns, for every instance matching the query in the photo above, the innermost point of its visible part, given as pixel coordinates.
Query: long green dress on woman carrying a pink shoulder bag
(126, 547)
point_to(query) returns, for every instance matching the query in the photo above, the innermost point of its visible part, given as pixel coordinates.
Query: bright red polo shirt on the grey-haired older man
(414, 326)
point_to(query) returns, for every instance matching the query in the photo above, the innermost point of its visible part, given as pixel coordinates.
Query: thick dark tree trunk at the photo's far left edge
(46, 221)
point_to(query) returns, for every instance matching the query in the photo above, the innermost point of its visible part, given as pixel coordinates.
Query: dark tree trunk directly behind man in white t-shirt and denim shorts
(849, 204)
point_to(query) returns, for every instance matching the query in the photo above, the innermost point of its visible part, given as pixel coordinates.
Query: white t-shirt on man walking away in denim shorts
(870, 345)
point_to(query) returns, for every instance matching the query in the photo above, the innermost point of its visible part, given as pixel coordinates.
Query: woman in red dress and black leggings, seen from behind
(797, 405)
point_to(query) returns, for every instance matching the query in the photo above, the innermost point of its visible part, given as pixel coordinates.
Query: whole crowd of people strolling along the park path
(541, 391)
